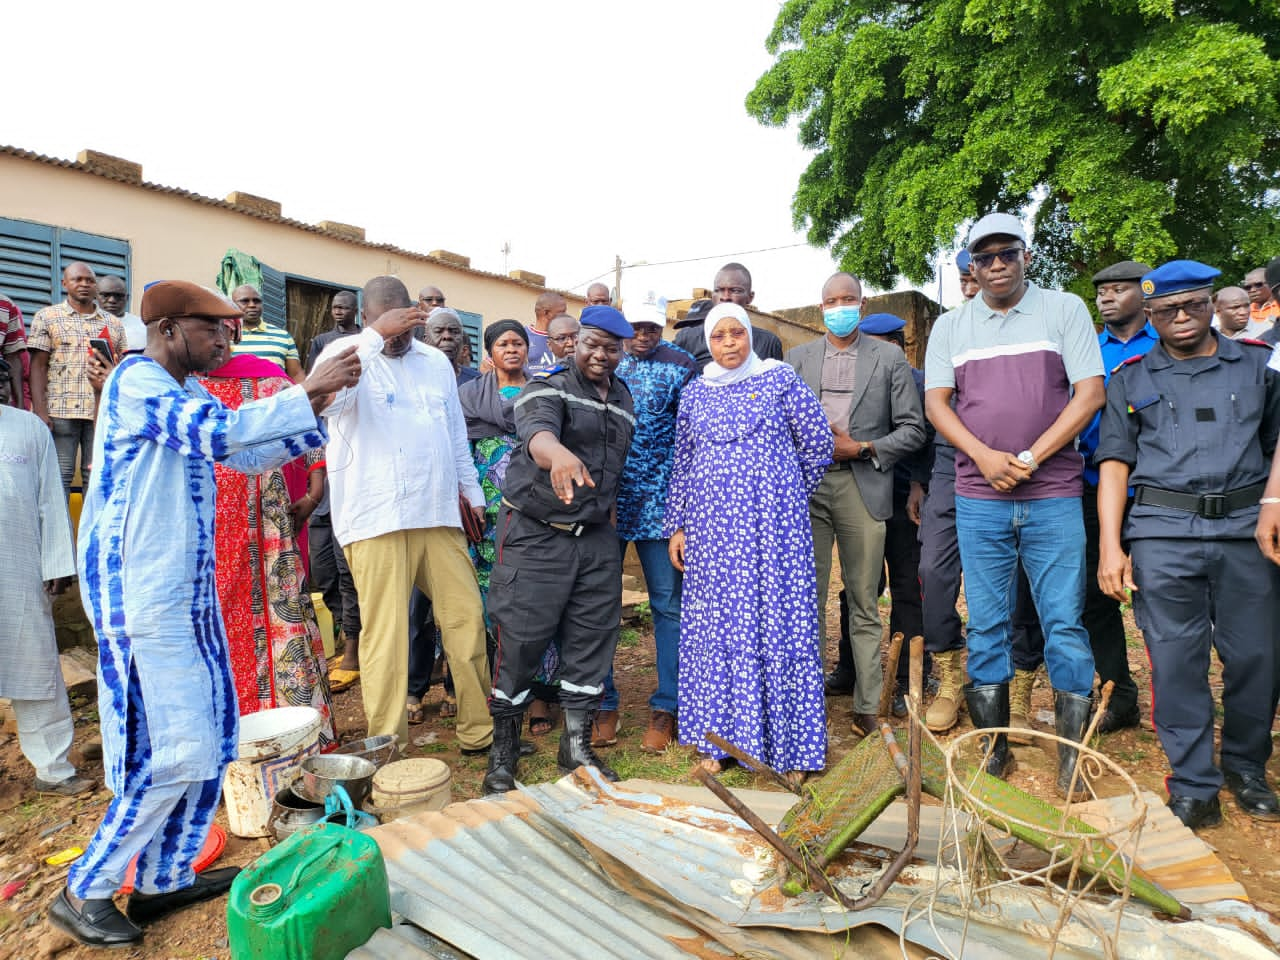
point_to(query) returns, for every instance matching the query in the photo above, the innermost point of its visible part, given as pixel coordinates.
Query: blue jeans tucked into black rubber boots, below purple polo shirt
(1049, 538)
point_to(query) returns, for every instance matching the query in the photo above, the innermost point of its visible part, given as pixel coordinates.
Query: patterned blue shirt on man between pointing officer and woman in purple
(656, 383)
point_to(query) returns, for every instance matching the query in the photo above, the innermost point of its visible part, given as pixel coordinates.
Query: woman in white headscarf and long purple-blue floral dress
(752, 446)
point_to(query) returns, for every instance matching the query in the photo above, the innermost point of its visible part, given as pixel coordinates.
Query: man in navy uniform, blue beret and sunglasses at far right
(1192, 426)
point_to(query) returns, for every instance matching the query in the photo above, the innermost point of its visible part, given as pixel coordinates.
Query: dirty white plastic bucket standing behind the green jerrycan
(273, 746)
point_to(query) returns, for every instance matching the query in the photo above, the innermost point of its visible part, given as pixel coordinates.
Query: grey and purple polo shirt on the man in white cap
(1013, 374)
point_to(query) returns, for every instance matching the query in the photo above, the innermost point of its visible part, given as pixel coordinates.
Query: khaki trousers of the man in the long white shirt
(386, 569)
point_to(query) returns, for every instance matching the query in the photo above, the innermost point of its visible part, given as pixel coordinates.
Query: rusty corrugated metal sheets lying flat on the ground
(531, 876)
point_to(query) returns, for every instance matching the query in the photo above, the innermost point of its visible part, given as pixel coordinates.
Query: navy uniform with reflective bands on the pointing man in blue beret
(559, 569)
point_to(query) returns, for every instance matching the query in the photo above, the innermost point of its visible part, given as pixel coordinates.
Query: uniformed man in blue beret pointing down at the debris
(559, 572)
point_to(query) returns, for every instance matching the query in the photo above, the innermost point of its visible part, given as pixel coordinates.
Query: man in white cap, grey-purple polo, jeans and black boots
(1026, 372)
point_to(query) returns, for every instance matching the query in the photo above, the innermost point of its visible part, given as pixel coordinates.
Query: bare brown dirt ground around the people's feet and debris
(33, 828)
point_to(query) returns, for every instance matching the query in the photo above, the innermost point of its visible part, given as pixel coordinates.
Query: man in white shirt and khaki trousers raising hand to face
(399, 463)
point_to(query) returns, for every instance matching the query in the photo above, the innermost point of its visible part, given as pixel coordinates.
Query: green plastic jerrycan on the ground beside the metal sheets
(317, 897)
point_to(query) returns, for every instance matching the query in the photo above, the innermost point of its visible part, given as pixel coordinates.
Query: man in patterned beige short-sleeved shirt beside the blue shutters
(61, 392)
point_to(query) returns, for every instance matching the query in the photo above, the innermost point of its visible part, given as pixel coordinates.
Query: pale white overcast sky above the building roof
(572, 131)
